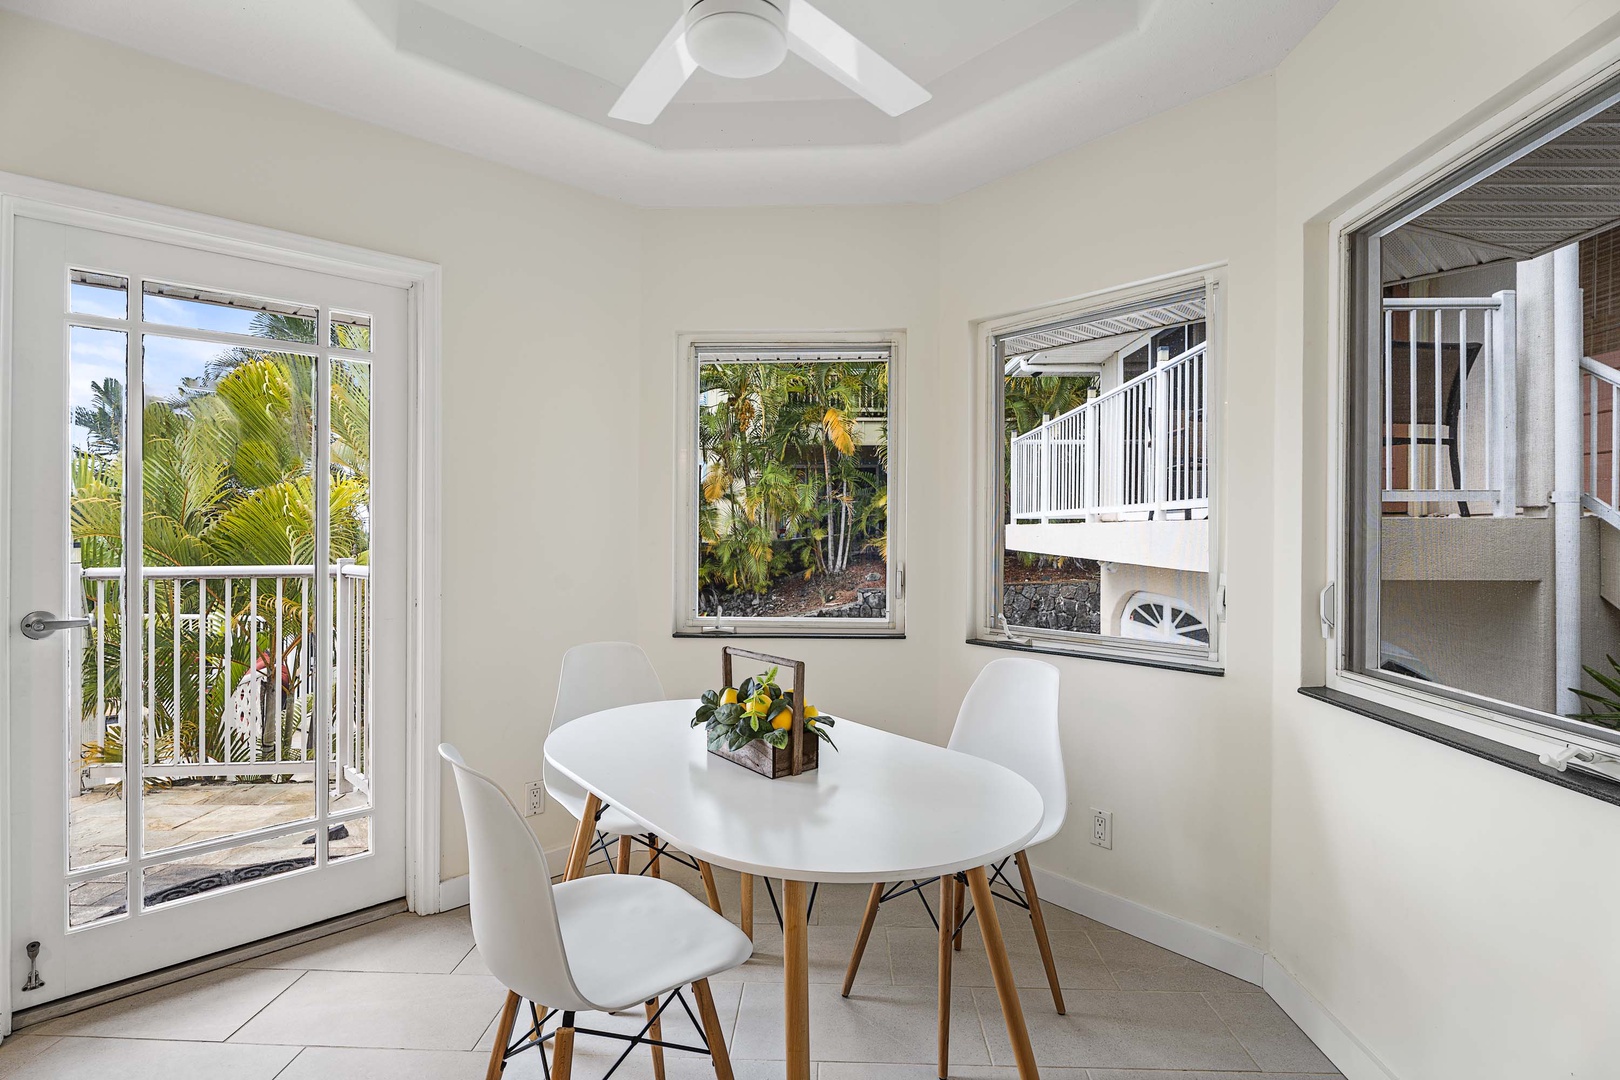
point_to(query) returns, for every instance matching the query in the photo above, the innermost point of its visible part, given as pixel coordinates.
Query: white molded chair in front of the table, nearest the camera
(603, 943)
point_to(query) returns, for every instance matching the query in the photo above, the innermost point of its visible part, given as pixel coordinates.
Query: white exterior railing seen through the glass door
(228, 682)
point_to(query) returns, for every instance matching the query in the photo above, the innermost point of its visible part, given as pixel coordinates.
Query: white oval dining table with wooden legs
(882, 809)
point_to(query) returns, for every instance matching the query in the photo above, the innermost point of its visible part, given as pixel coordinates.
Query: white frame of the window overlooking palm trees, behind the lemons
(686, 488)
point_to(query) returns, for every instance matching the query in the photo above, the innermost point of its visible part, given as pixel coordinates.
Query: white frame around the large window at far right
(1572, 83)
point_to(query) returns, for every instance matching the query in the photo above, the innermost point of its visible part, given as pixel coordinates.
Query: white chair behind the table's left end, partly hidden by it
(595, 678)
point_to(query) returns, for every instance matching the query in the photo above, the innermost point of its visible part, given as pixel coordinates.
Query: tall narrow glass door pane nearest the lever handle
(96, 380)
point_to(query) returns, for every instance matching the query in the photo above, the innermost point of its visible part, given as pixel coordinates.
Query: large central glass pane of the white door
(229, 590)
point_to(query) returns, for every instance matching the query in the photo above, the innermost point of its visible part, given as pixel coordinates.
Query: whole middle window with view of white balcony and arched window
(1104, 488)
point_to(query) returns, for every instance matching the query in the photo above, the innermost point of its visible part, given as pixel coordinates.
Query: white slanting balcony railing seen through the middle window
(1141, 449)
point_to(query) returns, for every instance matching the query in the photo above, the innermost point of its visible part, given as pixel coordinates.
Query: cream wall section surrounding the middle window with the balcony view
(1180, 760)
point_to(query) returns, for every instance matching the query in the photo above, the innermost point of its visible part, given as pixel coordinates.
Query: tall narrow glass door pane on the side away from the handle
(351, 449)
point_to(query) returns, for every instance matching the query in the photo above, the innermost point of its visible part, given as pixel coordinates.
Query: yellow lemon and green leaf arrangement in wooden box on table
(752, 725)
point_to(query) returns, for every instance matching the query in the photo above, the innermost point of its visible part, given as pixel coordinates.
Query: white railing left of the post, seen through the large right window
(1451, 402)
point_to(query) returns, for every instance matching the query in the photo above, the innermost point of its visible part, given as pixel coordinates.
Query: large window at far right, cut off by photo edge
(1483, 420)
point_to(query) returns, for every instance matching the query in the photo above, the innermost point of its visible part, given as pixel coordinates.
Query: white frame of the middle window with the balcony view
(989, 529)
